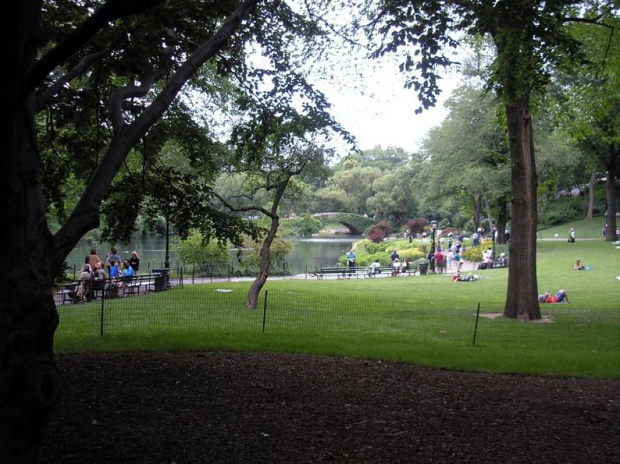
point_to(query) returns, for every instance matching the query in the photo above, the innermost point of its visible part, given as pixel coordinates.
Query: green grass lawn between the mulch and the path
(424, 319)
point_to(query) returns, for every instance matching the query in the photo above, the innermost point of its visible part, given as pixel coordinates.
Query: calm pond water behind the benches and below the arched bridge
(306, 254)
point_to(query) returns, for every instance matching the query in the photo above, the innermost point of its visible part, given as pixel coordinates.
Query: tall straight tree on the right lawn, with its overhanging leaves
(530, 39)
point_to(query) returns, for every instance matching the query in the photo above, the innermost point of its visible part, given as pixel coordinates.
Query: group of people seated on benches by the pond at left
(93, 276)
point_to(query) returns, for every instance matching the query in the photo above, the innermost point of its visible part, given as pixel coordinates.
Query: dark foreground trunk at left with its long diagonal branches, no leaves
(29, 386)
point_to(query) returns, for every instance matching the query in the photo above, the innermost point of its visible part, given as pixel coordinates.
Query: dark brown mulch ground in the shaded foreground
(265, 408)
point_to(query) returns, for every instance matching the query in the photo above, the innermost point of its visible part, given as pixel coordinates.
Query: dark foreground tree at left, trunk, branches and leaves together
(103, 78)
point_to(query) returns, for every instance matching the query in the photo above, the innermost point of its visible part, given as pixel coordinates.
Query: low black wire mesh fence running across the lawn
(214, 310)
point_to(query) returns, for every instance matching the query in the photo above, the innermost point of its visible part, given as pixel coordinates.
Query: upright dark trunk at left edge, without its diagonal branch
(29, 385)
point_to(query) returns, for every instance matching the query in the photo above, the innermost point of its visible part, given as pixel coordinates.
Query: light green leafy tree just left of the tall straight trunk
(468, 157)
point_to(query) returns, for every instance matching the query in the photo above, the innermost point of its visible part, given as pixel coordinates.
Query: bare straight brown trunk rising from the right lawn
(522, 294)
